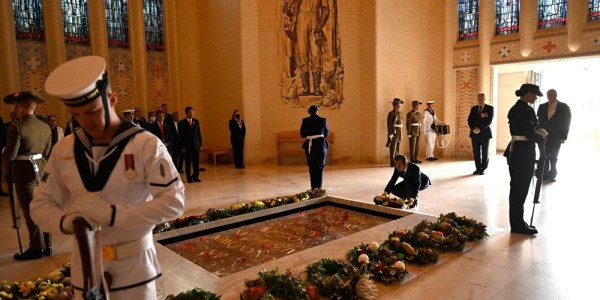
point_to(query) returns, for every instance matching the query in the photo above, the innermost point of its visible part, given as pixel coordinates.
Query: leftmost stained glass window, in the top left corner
(28, 19)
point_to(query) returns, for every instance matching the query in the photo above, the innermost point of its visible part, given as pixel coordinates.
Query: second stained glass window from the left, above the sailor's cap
(75, 21)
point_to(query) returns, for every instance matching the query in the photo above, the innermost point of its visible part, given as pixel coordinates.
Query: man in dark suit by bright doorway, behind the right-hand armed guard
(555, 117)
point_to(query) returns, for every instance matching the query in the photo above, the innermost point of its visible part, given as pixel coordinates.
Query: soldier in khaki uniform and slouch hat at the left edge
(27, 147)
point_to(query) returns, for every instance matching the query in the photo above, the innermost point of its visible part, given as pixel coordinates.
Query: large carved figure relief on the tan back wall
(312, 71)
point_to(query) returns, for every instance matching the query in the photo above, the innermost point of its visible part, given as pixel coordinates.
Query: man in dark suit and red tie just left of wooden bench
(190, 141)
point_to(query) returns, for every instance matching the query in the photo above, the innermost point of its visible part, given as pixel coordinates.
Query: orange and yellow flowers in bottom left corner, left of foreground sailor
(57, 286)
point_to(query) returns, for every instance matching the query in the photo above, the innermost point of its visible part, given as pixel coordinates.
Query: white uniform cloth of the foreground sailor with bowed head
(154, 195)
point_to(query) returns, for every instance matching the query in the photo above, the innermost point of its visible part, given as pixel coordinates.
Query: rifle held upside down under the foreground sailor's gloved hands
(93, 287)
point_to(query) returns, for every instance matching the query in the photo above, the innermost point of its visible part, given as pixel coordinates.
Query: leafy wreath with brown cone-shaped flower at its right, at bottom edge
(337, 279)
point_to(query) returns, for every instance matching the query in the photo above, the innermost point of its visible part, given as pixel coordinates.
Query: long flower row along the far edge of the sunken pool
(214, 214)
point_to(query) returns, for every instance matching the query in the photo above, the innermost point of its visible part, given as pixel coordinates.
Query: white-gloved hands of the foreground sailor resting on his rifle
(93, 207)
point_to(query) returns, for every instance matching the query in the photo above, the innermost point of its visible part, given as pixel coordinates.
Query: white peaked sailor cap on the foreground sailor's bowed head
(78, 81)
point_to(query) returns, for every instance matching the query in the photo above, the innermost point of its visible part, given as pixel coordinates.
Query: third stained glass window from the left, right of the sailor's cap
(116, 22)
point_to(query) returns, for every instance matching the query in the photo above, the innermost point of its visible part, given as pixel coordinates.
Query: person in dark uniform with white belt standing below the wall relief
(314, 129)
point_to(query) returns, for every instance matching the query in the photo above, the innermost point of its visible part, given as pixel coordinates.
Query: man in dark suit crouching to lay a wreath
(414, 180)
